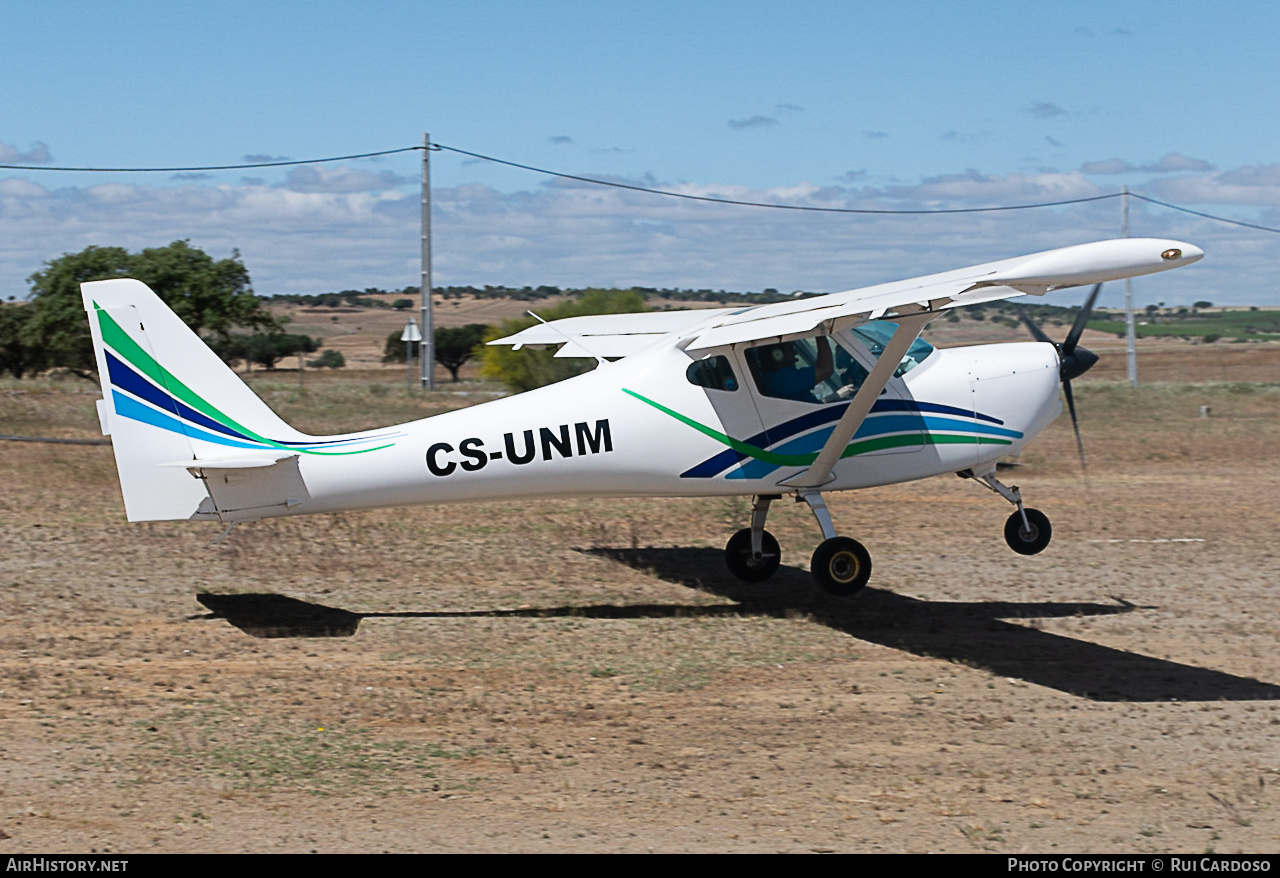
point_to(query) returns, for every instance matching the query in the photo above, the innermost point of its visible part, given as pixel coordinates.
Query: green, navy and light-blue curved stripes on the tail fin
(182, 410)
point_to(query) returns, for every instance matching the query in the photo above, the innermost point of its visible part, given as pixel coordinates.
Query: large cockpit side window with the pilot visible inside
(807, 371)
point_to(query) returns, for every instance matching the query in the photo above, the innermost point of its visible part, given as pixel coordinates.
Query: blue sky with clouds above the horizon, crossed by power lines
(831, 104)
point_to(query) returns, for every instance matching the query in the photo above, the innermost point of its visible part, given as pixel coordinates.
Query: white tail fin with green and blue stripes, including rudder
(175, 410)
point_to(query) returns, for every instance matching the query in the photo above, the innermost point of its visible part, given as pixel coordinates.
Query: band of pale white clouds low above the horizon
(572, 234)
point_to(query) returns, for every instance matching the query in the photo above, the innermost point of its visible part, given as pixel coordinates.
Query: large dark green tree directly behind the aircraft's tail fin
(209, 296)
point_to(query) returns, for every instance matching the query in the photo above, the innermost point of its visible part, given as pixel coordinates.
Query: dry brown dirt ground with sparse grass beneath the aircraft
(586, 676)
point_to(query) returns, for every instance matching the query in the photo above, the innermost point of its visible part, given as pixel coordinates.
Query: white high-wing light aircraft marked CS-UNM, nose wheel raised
(799, 399)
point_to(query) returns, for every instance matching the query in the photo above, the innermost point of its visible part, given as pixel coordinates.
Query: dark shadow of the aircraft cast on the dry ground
(973, 634)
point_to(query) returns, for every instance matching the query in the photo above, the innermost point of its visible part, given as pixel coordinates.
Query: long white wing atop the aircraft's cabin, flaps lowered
(620, 336)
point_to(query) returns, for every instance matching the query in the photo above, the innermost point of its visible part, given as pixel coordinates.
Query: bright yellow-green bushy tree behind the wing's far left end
(525, 371)
